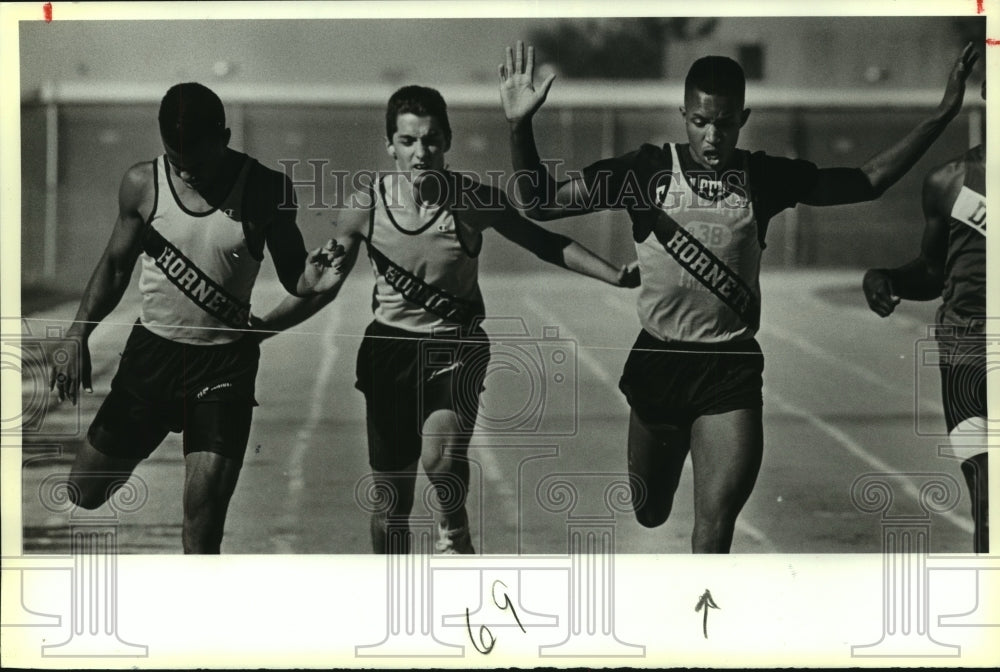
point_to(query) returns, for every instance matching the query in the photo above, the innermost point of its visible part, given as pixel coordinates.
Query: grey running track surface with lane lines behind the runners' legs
(845, 394)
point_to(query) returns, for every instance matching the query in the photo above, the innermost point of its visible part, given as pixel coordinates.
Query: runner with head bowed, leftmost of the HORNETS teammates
(200, 217)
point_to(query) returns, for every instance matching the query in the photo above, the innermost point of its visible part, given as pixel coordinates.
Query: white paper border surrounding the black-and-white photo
(311, 611)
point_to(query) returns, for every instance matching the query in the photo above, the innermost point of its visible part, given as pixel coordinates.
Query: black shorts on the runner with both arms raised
(674, 383)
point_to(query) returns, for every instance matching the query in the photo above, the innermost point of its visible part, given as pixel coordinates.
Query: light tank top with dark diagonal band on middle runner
(425, 265)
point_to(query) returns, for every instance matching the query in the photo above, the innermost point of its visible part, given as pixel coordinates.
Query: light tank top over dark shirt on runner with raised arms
(673, 305)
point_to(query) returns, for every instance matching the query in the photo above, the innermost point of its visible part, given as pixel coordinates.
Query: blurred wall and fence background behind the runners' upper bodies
(833, 90)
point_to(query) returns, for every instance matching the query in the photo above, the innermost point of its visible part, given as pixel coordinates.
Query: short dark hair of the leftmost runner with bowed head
(190, 113)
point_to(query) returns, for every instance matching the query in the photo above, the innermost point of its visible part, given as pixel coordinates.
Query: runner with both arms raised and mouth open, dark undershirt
(693, 379)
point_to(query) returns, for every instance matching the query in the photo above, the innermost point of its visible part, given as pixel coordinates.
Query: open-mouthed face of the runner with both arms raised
(713, 125)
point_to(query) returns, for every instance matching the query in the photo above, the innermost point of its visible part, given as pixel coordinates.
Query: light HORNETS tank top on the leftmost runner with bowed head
(197, 268)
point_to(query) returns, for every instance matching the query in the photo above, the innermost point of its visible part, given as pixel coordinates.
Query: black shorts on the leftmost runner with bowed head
(161, 386)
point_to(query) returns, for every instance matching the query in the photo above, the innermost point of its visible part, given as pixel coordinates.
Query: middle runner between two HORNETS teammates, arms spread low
(424, 257)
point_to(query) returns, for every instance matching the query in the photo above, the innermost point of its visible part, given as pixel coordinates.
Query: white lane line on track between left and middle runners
(318, 405)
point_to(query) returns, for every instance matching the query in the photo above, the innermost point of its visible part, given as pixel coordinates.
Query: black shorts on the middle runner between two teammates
(405, 376)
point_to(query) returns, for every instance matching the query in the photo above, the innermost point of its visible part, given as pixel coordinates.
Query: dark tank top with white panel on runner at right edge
(964, 291)
